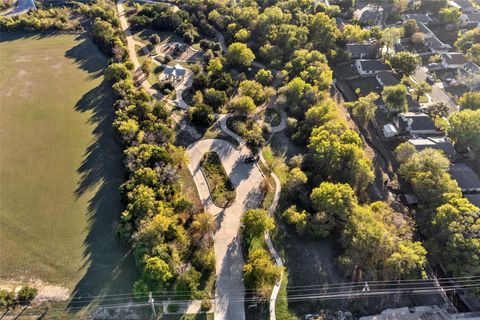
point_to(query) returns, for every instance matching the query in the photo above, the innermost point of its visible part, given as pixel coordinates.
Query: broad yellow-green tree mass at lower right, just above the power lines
(378, 245)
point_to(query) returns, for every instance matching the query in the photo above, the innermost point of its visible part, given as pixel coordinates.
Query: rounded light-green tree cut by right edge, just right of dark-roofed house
(465, 129)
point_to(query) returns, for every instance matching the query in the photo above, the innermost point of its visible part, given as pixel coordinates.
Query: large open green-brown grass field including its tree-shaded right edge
(60, 167)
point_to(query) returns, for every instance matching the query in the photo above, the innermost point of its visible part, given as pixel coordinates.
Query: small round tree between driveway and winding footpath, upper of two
(255, 223)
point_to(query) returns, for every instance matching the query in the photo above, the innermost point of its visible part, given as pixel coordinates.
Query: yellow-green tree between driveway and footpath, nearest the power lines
(260, 272)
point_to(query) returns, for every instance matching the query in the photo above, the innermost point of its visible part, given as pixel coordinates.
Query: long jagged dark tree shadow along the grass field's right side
(108, 265)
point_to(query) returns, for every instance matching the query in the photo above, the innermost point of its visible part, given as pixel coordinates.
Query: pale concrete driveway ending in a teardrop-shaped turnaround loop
(229, 290)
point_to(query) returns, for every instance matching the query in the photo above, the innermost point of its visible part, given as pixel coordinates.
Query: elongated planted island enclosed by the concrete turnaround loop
(221, 188)
